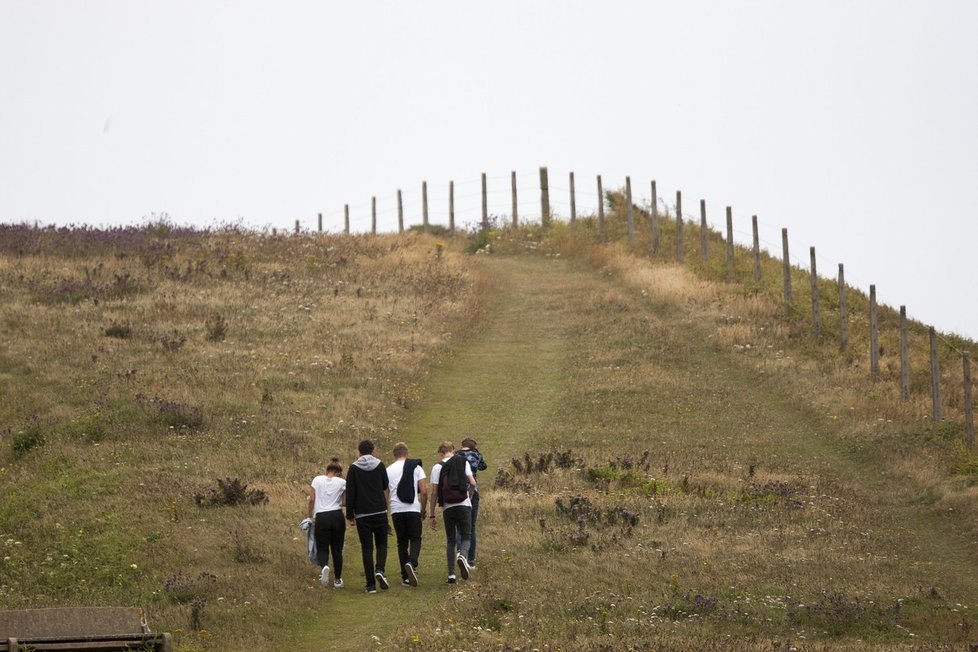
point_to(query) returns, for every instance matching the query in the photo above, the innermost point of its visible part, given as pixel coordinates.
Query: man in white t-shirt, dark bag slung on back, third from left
(409, 500)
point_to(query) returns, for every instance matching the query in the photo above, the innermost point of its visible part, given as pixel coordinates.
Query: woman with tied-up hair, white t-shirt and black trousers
(327, 497)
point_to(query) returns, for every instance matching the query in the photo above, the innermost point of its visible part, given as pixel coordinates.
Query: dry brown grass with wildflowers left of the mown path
(326, 340)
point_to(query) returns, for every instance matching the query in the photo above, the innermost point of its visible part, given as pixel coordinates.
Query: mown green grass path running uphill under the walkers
(498, 389)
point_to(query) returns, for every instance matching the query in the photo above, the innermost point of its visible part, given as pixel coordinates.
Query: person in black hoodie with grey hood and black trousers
(367, 502)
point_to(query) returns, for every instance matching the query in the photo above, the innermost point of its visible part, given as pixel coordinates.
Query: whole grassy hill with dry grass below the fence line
(676, 462)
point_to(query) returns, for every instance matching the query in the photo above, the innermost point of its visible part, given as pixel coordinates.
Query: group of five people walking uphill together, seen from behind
(372, 490)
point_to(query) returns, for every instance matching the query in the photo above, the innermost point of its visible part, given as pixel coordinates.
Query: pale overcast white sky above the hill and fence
(849, 122)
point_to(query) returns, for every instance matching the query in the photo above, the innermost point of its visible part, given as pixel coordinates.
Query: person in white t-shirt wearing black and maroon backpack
(453, 482)
